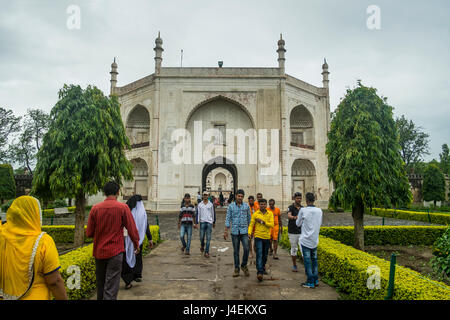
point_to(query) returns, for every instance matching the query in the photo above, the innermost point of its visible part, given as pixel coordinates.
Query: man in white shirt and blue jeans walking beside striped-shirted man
(206, 217)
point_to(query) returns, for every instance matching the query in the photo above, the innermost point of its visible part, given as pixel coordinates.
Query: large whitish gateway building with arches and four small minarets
(243, 101)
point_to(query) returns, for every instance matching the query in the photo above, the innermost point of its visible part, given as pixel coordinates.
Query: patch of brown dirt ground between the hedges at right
(416, 258)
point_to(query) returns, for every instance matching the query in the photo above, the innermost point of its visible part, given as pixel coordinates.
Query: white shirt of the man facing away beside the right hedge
(310, 219)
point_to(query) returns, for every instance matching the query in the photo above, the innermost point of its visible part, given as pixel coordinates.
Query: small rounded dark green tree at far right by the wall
(433, 187)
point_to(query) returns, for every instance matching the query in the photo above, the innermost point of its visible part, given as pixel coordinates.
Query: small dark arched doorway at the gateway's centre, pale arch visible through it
(218, 175)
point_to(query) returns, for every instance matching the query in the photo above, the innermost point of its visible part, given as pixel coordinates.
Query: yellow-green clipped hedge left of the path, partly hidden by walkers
(83, 258)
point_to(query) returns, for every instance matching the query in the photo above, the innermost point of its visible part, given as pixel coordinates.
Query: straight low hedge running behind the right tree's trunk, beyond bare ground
(387, 235)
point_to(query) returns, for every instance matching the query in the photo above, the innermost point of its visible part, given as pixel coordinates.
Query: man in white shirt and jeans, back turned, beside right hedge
(310, 219)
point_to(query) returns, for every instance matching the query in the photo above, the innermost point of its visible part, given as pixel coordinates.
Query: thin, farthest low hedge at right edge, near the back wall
(437, 218)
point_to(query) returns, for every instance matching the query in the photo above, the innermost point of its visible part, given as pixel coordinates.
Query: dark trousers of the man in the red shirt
(108, 276)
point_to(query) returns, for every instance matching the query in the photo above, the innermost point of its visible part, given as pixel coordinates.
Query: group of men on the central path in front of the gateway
(256, 225)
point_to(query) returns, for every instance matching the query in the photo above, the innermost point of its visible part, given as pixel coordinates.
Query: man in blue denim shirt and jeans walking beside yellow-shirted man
(238, 216)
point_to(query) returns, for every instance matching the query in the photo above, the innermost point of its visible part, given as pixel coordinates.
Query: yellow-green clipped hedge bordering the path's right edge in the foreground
(347, 267)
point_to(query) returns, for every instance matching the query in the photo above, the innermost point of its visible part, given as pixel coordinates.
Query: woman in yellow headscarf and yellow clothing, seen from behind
(29, 260)
